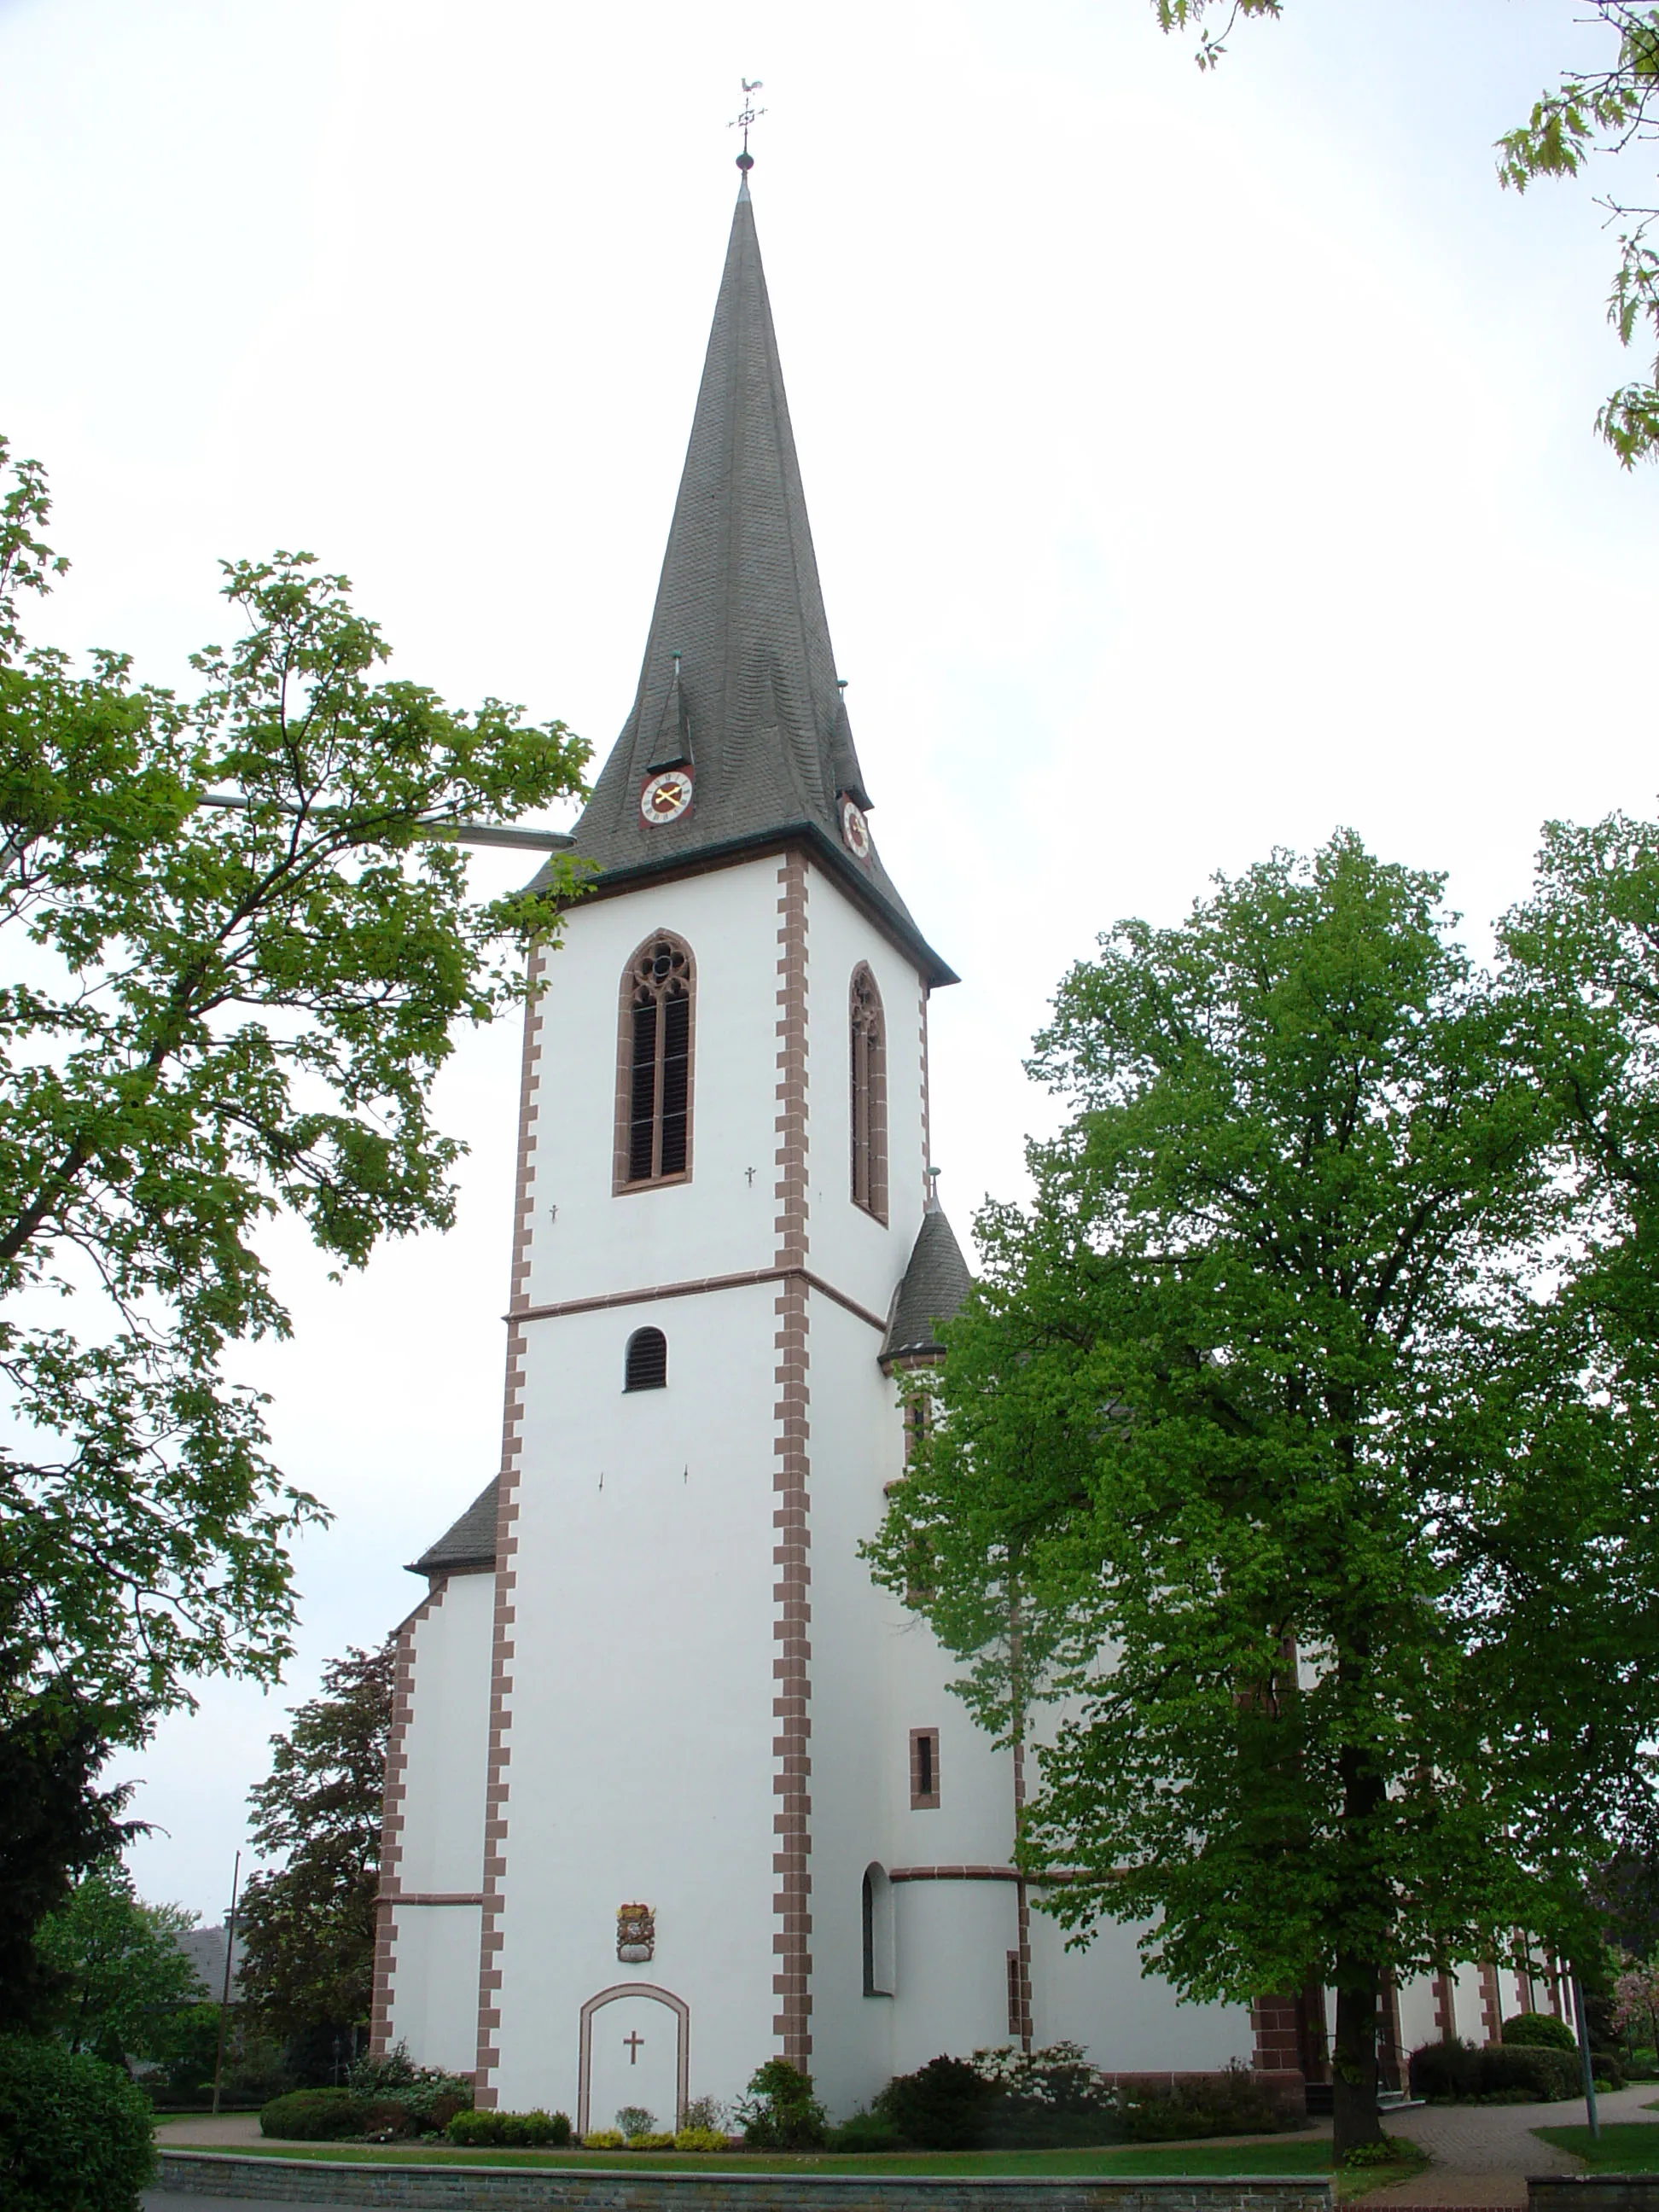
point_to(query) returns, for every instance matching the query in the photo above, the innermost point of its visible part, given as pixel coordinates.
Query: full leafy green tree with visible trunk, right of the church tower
(1255, 1461)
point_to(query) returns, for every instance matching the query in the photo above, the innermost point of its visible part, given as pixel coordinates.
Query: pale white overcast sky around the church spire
(1196, 466)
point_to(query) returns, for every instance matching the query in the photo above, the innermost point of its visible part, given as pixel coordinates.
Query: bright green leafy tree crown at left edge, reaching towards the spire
(213, 1014)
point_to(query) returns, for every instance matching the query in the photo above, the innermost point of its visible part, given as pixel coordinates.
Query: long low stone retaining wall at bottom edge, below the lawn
(514, 2189)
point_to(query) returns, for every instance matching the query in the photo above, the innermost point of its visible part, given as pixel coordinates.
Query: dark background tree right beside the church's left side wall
(309, 1928)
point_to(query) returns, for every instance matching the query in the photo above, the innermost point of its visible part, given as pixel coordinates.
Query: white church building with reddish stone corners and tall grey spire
(674, 1786)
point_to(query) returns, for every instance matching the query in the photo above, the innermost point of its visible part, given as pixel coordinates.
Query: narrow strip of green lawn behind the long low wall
(1275, 2156)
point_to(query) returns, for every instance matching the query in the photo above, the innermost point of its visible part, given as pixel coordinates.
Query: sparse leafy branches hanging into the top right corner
(1589, 116)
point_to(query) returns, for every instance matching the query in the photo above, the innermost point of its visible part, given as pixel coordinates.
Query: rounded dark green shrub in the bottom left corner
(72, 2131)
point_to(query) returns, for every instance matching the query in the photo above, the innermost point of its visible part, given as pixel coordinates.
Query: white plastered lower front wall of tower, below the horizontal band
(643, 1689)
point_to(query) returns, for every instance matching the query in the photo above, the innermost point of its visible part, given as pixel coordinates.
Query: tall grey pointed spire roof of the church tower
(740, 678)
